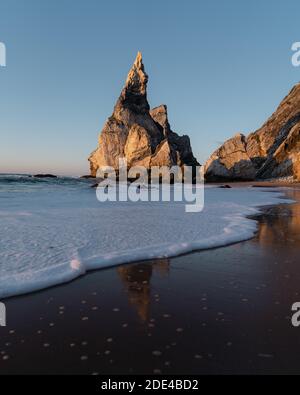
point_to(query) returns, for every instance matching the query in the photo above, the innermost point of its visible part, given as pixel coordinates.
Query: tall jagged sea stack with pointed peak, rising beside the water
(134, 132)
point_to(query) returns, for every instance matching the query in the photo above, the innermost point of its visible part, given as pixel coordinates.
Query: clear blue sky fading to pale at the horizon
(220, 66)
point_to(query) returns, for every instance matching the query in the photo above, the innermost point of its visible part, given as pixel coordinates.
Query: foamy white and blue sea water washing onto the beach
(54, 230)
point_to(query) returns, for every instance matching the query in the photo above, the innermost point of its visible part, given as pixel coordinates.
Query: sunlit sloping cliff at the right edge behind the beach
(273, 151)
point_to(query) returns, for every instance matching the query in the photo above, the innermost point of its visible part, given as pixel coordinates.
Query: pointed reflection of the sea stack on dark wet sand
(136, 278)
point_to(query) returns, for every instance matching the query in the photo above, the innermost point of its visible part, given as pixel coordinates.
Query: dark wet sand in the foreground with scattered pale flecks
(222, 311)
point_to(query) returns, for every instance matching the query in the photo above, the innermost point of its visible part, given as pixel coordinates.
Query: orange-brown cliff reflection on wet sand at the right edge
(281, 222)
